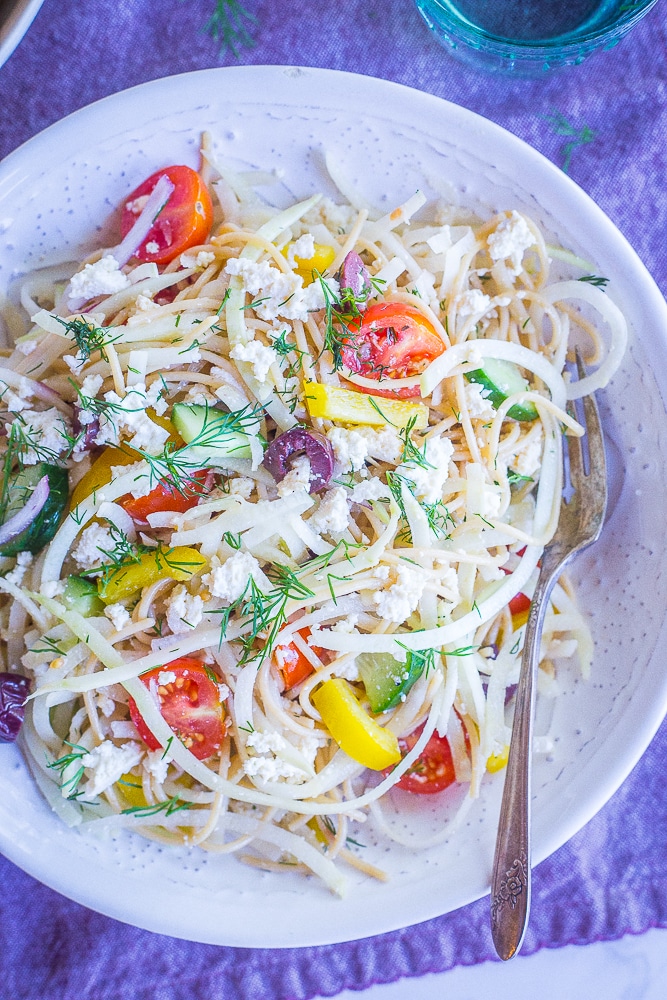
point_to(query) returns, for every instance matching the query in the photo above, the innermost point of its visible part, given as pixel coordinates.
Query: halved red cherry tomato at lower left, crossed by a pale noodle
(190, 705)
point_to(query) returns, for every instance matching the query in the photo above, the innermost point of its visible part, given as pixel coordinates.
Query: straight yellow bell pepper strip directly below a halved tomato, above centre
(346, 406)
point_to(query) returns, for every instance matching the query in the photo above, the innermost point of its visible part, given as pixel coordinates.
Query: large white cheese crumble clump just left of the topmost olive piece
(281, 294)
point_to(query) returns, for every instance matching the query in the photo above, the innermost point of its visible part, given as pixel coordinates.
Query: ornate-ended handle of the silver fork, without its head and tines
(511, 879)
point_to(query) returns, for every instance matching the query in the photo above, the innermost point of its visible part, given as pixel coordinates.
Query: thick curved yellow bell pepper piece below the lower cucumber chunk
(353, 729)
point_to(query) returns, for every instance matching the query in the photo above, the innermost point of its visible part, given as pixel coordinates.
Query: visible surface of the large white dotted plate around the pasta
(58, 194)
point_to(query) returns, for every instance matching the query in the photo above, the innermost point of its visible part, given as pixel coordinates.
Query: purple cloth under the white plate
(605, 123)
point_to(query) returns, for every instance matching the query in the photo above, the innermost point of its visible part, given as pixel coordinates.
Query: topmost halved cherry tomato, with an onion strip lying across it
(184, 222)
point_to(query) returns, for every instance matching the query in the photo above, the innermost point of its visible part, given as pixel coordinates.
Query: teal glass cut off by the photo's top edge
(529, 37)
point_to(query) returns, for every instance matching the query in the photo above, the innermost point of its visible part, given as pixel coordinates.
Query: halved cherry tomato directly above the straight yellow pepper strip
(392, 340)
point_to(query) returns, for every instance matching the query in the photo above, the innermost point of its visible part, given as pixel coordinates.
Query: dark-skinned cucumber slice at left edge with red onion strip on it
(45, 525)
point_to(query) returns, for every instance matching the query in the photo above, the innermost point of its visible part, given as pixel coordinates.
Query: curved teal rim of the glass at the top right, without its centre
(457, 31)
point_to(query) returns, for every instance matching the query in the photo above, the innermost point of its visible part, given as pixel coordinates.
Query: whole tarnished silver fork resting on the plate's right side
(579, 525)
